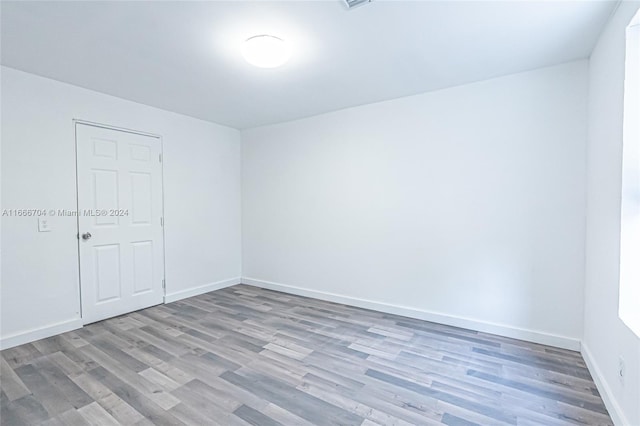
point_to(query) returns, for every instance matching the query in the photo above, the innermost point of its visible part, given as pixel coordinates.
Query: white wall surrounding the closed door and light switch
(40, 270)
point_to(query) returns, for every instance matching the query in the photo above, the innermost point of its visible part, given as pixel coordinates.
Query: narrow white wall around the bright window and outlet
(605, 336)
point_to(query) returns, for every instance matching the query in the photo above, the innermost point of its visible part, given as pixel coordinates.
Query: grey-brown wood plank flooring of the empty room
(248, 356)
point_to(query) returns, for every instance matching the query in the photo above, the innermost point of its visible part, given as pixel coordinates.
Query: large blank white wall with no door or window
(465, 205)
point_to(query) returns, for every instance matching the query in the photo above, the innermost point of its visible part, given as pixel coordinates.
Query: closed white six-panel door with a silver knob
(119, 221)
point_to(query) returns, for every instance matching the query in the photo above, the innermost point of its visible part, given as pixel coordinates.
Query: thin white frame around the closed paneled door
(75, 123)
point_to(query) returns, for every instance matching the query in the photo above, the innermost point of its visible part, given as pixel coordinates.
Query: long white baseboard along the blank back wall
(469, 323)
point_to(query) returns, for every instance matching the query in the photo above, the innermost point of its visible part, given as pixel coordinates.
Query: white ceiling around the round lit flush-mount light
(184, 56)
